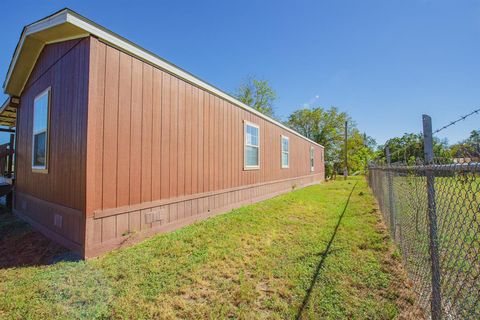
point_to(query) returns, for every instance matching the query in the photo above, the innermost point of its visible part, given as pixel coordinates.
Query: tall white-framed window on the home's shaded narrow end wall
(41, 108)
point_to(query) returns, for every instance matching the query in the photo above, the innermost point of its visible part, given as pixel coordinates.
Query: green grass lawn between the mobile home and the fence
(254, 262)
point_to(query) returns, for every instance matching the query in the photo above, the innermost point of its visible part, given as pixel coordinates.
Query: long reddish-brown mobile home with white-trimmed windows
(115, 143)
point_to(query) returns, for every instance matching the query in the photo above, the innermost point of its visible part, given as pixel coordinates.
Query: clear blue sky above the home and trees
(385, 62)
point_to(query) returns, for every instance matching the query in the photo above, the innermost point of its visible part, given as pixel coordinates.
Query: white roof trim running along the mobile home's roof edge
(68, 16)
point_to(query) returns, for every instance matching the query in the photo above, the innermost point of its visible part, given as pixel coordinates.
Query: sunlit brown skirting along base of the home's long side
(115, 228)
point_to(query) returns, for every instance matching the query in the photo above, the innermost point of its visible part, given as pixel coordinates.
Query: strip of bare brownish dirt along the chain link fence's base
(400, 287)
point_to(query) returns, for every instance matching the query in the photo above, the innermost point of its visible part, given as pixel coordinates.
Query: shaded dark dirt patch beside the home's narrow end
(20, 245)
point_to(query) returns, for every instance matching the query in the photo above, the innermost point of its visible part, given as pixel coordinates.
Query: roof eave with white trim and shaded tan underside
(67, 24)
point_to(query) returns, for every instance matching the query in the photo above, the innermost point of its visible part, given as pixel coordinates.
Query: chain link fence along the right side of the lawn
(408, 195)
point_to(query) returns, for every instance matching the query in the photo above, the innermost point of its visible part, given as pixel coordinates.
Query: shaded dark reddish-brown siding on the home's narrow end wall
(63, 67)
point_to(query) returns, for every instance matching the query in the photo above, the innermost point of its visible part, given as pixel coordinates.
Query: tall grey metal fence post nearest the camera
(436, 305)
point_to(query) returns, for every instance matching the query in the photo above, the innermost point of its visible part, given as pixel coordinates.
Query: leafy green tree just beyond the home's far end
(326, 127)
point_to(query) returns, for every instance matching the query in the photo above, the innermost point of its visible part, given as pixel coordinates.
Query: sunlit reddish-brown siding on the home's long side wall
(159, 137)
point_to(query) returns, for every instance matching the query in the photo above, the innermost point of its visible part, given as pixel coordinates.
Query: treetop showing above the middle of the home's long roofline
(257, 94)
